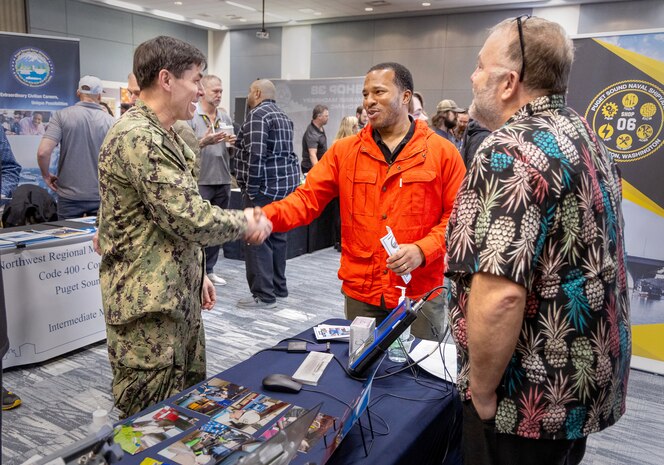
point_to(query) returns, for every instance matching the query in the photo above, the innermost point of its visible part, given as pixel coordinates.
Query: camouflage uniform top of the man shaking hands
(154, 221)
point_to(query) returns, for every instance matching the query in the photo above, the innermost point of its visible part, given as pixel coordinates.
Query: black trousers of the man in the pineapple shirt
(482, 445)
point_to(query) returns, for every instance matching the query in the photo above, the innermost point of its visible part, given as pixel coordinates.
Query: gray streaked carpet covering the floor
(59, 396)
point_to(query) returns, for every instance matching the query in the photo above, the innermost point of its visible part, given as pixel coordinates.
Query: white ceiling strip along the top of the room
(237, 14)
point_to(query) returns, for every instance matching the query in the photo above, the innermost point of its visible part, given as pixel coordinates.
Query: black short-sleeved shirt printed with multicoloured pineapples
(540, 206)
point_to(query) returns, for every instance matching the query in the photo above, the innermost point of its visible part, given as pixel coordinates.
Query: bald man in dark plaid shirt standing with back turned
(267, 169)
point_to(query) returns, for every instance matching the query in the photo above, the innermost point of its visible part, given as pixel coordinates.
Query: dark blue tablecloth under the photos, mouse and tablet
(414, 421)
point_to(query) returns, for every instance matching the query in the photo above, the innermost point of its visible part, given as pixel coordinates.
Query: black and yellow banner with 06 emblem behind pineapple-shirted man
(616, 83)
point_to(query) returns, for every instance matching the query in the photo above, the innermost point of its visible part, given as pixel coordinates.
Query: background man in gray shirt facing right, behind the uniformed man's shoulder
(213, 129)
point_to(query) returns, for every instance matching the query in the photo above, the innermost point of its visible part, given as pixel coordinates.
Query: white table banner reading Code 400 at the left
(53, 301)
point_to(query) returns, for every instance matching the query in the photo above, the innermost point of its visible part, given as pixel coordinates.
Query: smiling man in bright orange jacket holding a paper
(396, 172)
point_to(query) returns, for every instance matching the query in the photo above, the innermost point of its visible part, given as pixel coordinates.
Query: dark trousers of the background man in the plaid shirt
(266, 263)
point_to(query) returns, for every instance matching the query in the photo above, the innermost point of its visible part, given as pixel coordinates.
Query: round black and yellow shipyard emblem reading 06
(628, 118)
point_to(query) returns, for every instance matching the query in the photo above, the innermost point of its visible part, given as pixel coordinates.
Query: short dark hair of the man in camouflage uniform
(167, 53)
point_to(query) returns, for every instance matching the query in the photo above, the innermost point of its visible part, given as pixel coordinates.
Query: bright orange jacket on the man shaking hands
(413, 196)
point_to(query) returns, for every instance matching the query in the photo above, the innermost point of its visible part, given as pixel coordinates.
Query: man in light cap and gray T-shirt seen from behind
(80, 130)
